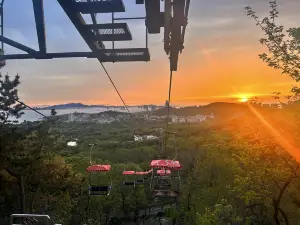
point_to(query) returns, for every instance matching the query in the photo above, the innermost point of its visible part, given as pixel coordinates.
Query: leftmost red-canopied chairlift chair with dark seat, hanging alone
(99, 189)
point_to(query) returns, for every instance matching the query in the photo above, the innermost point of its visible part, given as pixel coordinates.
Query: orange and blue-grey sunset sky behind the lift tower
(219, 63)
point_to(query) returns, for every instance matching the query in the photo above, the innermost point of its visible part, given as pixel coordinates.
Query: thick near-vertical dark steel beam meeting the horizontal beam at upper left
(40, 23)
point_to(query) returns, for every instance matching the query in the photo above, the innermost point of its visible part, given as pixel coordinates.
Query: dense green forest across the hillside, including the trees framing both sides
(242, 170)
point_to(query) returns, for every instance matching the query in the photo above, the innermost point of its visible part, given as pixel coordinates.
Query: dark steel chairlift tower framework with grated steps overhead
(95, 34)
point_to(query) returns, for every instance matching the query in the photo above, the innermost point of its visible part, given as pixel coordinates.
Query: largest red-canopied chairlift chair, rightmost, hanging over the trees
(165, 179)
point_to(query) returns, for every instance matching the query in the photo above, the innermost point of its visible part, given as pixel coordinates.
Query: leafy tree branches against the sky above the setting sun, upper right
(283, 44)
